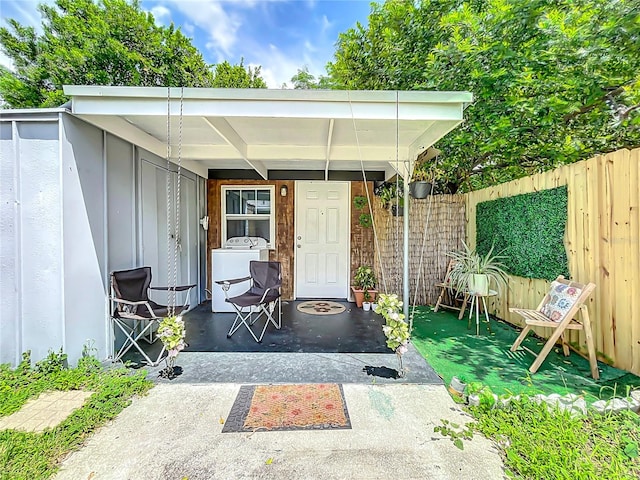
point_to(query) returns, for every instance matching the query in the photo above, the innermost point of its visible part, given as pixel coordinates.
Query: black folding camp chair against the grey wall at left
(134, 313)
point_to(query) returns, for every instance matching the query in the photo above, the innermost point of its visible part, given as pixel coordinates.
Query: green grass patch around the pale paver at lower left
(37, 455)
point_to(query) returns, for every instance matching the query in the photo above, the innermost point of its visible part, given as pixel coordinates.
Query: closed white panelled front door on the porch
(322, 239)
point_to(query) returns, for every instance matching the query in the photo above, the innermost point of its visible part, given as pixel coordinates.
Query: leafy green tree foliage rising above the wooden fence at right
(554, 81)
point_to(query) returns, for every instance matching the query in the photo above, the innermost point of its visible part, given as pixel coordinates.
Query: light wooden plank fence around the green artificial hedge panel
(603, 246)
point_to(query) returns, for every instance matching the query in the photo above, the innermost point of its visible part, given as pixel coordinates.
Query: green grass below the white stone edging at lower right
(541, 443)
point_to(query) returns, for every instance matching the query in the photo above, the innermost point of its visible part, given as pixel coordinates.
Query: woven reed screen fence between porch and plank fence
(443, 218)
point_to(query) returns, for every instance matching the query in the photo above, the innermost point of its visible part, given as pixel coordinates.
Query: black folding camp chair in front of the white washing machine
(262, 298)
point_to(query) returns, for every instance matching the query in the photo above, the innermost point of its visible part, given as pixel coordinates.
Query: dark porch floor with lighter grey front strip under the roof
(348, 347)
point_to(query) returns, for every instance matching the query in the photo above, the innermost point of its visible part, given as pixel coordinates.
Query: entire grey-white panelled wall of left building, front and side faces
(75, 206)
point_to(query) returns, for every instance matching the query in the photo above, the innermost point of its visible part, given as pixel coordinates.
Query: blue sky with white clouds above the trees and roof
(280, 35)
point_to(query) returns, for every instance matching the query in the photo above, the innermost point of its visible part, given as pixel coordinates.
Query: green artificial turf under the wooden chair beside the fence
(452, 349)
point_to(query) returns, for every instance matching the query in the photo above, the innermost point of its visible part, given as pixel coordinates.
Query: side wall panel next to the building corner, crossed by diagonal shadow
(85, 275)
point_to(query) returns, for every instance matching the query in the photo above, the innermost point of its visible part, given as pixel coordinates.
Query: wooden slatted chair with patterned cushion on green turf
(557, 310)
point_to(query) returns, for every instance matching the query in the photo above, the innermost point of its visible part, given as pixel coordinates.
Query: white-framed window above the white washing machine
(248, 211)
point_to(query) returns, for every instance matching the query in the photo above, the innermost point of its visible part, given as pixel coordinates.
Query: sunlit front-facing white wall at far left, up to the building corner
(32, 302)
